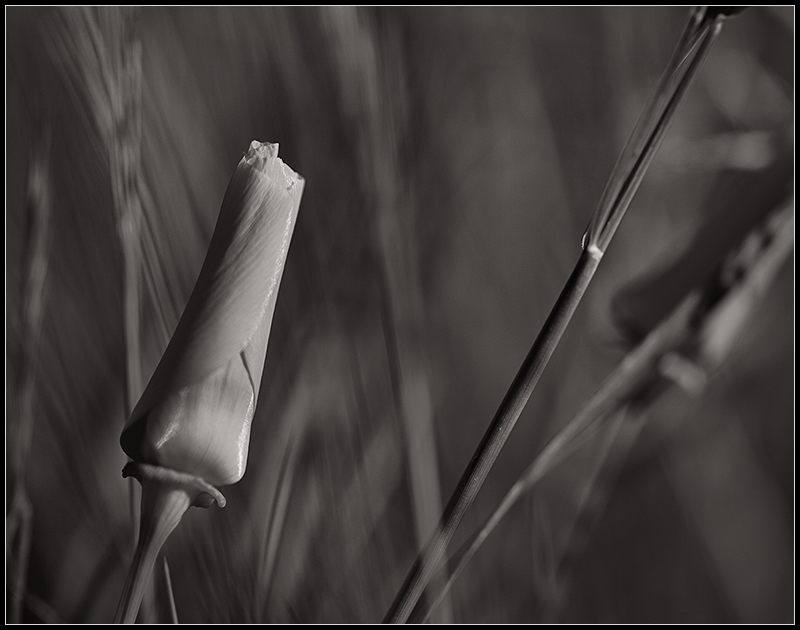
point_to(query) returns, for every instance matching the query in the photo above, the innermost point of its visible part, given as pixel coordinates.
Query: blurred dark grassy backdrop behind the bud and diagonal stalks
(453, 157)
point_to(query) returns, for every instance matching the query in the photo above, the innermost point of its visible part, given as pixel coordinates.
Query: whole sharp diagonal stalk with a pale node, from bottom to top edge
(601, 230)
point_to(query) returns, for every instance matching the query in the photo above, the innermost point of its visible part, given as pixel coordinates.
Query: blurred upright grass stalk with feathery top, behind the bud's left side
(100, 54)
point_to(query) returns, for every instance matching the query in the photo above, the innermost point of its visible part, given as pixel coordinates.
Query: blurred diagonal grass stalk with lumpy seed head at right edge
(711, 334)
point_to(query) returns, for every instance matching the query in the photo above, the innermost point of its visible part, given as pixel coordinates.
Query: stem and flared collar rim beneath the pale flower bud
(166, 495)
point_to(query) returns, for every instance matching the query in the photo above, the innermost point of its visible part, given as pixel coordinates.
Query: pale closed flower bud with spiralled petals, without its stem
(195, 413)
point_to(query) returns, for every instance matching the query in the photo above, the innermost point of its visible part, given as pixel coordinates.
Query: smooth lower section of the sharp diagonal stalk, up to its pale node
(496, 435)
